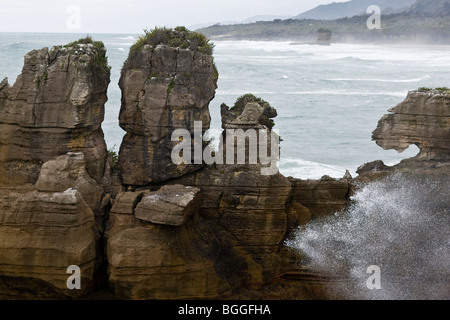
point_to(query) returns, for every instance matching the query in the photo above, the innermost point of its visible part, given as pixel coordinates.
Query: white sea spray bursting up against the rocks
(399, 224)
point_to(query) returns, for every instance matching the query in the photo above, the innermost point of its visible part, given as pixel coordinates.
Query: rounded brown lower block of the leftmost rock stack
(41, 235)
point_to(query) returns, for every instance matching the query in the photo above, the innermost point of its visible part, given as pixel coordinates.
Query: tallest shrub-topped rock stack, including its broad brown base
(154, 247)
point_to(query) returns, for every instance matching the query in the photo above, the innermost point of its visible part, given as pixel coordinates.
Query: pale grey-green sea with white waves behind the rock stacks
(329, 99)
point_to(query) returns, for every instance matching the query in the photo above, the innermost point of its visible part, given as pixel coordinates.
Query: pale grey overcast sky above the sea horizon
(132, 16)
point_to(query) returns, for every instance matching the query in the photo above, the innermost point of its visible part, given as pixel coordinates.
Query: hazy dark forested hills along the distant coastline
(427, 21)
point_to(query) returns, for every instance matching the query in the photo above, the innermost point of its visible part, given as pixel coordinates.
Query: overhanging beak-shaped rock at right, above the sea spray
(422, 119)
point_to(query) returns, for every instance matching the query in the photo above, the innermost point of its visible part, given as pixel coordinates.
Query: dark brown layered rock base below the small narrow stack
(247, 214)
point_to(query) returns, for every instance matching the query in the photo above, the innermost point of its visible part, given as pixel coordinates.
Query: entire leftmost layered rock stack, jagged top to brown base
(52, 159)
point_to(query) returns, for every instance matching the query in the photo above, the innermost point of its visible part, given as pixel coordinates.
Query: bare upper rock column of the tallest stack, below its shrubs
(164, 88)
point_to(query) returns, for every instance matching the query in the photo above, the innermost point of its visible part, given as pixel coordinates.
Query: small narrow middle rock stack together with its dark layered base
(245, 208)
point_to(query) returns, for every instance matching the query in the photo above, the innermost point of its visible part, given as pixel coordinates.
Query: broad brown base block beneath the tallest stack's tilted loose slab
(156, 261)
